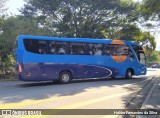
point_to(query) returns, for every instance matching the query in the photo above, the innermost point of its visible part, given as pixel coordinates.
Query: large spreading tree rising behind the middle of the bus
(81, 18)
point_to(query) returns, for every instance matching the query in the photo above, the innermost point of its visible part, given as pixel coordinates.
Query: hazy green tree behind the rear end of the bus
(12, 27)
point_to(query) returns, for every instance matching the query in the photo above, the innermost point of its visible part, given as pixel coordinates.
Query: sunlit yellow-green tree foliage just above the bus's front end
(133, 33)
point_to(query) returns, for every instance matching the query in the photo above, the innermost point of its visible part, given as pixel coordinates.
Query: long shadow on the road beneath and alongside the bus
(20, 91)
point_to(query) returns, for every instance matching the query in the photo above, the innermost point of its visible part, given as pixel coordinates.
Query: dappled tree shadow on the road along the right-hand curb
(135, 102)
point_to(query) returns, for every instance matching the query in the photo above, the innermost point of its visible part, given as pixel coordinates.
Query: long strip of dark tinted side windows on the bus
(61, 47)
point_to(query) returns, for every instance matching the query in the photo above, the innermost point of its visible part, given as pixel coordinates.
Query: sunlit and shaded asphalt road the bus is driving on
(80, 94)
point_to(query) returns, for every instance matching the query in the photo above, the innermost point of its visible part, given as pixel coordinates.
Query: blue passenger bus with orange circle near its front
(42, 58)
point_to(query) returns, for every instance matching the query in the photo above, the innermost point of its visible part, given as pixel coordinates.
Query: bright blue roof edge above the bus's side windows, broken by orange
(91, 40)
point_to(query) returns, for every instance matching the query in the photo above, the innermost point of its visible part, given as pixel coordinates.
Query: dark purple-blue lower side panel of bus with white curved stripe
(51, 71)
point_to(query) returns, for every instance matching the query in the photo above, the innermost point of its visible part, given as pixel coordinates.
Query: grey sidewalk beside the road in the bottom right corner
(152, 101)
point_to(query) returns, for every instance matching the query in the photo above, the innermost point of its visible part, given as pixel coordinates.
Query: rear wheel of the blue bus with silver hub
(65, 77)
